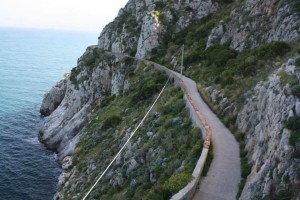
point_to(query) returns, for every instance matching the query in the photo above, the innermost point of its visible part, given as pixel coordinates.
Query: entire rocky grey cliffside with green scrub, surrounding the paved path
(234, 51)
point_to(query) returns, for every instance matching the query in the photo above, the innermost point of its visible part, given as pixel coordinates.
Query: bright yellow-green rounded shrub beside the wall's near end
(177, 182)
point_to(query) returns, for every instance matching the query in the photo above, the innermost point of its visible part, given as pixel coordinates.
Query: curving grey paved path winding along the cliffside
(223, 177)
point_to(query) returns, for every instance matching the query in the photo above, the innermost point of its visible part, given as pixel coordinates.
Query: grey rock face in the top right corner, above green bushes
(256, 22)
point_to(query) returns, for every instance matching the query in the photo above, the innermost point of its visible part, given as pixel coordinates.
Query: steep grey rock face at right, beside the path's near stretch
(274, 160)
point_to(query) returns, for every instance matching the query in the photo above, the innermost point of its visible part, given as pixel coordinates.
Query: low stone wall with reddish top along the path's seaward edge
(189, 190)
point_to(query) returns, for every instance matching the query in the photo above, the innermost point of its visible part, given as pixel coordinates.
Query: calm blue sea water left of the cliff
(31, 61)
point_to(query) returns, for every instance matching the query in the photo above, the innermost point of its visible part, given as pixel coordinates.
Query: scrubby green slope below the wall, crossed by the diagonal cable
(165, 148)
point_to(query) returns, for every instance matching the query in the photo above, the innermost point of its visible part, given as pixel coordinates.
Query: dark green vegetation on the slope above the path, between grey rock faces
(224, 68)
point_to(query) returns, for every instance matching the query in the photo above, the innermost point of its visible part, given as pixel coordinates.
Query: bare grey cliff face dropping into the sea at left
(96, 76)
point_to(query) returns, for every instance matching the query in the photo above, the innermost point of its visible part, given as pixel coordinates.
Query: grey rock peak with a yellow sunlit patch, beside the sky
(141, 25)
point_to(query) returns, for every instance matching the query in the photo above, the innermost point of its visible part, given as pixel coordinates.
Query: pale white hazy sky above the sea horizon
(82, 15)
